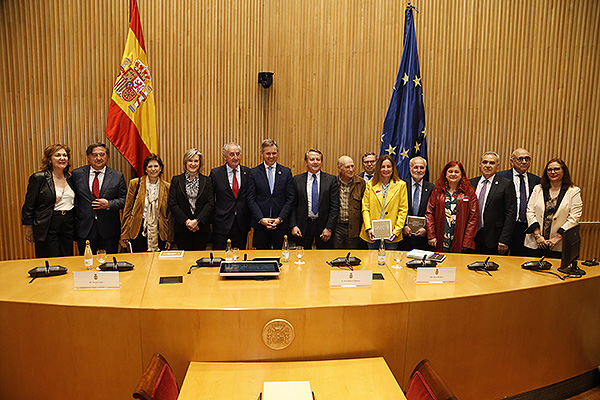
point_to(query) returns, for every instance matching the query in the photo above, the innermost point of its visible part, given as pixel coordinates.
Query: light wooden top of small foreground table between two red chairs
(363, 378)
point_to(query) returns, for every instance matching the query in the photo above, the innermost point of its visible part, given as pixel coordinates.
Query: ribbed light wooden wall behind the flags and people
(495, 76)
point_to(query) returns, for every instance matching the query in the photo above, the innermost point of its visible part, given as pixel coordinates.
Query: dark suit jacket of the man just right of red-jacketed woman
(500, 211)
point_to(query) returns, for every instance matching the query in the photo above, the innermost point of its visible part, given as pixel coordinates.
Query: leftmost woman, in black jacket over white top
(48, 211)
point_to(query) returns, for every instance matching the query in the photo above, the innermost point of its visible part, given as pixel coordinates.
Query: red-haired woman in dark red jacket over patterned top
(452, 212)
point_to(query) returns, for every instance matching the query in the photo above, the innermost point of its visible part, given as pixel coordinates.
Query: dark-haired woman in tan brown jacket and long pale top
(147, 224)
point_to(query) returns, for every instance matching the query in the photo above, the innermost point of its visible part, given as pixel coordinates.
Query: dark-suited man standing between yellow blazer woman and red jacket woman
(419, 191)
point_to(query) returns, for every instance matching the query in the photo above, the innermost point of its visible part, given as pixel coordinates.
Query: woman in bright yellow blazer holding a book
(385, 198)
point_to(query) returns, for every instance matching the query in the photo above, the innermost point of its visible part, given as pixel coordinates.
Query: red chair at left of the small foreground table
(158, 381)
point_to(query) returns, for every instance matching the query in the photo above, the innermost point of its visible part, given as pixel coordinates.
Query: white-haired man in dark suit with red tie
(231, 214)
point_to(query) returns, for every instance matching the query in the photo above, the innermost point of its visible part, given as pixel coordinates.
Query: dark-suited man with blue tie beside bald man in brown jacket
(317, 204)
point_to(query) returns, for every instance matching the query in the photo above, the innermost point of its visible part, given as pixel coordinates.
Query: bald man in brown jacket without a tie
(351, 190)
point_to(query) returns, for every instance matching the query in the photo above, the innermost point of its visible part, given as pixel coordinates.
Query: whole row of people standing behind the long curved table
(497, 213)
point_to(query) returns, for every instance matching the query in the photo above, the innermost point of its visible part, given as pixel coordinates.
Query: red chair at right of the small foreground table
(426, 384)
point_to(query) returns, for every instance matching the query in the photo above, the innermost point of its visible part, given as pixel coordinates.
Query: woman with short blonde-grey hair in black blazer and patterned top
(191, 201)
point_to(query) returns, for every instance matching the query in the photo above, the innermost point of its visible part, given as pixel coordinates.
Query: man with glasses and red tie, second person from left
(100, 193)
